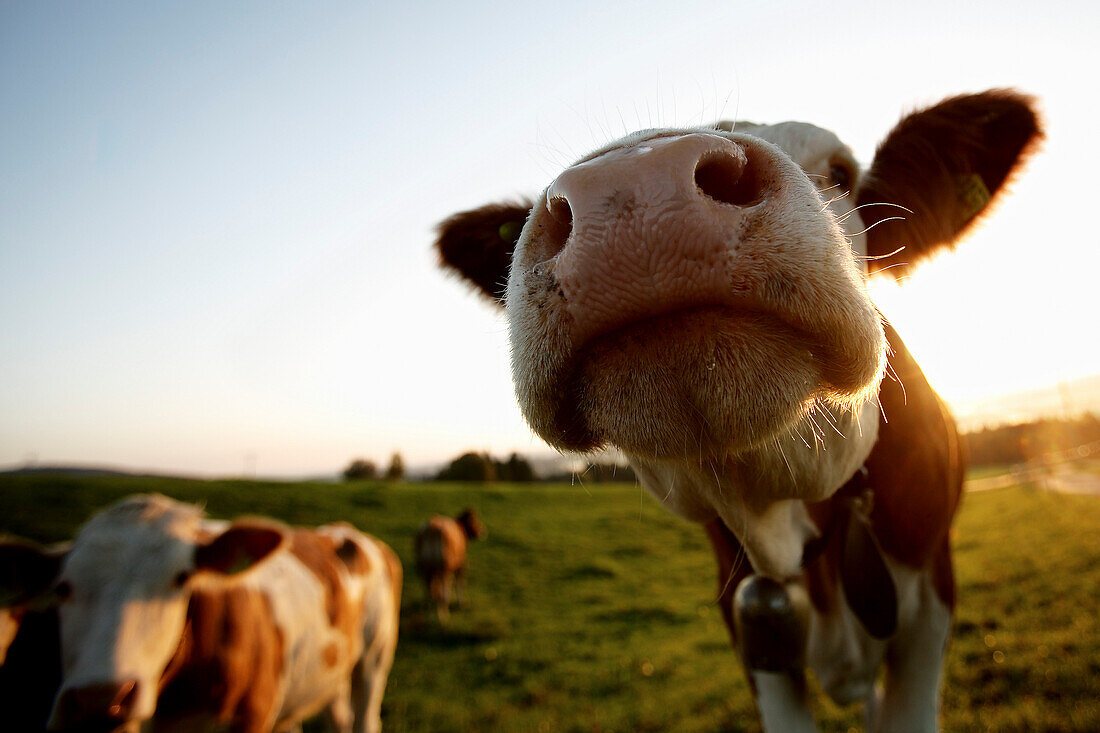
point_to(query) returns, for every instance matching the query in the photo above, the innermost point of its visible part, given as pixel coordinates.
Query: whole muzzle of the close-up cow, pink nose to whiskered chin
(683, 294)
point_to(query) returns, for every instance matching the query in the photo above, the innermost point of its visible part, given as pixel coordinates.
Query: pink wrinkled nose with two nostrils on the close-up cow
(651, 228)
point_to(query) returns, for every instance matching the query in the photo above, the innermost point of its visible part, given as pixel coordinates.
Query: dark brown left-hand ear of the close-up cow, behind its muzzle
(478, 245)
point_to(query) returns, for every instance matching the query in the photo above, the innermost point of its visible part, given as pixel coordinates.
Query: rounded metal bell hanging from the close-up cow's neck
(773, 622)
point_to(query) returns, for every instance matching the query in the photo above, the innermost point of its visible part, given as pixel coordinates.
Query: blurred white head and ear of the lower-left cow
(124, 594)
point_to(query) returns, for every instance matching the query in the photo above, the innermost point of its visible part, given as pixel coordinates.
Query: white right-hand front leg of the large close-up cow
(909, 699)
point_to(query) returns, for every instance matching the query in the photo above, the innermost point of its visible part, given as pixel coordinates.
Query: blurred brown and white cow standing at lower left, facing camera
(173, 619)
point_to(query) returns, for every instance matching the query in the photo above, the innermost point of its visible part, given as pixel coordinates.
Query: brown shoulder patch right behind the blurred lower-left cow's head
(229, 662)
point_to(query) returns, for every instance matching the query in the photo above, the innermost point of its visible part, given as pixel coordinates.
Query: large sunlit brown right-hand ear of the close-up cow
(938, 172)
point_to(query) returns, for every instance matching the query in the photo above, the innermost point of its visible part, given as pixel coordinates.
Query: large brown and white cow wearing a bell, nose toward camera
(696, 298)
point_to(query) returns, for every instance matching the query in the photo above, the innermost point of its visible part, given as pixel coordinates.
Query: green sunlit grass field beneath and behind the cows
(592, 609)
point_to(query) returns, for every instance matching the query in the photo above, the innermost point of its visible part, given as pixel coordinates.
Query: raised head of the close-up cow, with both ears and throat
(697, 299)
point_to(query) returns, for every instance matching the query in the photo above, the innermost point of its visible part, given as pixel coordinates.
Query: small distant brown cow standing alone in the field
(442, 556)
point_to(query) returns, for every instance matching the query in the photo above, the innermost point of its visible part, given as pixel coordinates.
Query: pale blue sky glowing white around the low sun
(216, 220)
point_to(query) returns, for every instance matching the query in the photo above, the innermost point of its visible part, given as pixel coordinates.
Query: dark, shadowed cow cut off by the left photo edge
(30, 649)
